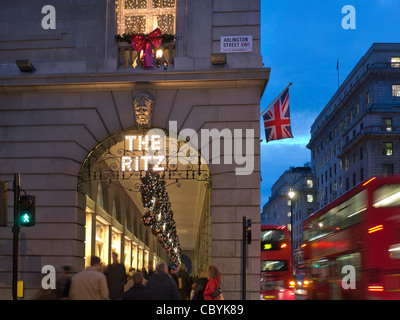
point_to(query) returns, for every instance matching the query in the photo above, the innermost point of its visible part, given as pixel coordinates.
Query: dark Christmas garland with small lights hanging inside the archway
(158, 214)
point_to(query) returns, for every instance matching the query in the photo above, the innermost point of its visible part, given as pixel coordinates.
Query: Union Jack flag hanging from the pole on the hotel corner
(277, 119)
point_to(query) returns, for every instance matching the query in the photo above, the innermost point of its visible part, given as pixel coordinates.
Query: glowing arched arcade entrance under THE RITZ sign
(147, 196)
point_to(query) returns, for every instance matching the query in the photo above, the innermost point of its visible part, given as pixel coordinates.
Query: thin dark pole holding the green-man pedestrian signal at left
(15, 230)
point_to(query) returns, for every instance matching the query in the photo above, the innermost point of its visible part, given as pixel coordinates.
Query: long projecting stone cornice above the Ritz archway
(227, 78)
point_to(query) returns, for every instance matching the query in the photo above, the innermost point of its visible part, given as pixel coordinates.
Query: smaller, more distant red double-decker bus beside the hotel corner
(277, 281)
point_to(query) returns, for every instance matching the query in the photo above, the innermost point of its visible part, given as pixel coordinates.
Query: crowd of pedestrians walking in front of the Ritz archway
(113, 283)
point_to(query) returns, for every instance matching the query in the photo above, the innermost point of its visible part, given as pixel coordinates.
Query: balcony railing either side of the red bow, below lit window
(163, 56)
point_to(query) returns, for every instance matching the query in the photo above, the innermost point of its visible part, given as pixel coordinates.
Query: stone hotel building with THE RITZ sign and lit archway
(62, 127)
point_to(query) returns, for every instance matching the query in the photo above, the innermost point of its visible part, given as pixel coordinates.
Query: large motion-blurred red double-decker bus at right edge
(356, 240)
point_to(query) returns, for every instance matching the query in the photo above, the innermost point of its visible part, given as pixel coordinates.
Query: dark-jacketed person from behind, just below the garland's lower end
(161, 285)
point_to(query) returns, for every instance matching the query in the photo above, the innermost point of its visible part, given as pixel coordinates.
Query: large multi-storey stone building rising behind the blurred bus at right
(356, 135)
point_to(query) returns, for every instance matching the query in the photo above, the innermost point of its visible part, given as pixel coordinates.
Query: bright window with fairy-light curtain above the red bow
(143, 16)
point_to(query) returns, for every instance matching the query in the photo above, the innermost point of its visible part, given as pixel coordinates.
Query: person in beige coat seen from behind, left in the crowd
(90, 284)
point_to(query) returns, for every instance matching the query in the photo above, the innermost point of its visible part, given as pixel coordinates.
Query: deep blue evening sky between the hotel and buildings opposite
(301, 42)
